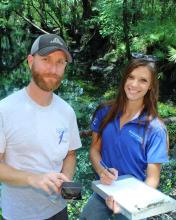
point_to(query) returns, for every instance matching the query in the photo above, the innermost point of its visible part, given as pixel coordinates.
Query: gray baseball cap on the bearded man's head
(48, 43)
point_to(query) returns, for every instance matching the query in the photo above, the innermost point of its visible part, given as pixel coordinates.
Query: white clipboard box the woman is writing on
(136, 199)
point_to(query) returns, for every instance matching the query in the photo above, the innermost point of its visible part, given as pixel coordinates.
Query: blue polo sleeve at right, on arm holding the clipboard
(157, 150)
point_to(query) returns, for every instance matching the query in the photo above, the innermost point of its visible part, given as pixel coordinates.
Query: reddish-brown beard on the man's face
(50, 84)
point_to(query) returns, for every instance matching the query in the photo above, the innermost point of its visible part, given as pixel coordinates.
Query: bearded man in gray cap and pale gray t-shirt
(38, 138)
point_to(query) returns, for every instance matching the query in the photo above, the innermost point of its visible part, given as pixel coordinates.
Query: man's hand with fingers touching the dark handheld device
(49, 182)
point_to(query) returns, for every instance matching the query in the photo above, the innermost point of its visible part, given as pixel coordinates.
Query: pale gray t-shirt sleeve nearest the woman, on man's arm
(74, 137)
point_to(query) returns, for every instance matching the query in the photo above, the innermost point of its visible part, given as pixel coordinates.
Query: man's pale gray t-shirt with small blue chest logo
(34, 139)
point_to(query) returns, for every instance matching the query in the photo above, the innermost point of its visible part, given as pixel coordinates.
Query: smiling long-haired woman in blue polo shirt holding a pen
(128, 136)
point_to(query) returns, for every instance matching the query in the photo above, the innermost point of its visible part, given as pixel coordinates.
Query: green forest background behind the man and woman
(101, 35)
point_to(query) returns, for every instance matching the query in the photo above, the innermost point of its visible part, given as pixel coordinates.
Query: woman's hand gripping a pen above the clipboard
(107, 177)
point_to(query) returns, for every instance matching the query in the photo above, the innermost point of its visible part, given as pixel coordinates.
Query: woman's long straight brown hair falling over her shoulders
(119, 104)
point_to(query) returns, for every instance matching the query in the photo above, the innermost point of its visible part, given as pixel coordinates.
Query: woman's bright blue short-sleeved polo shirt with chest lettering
(129, 149)
